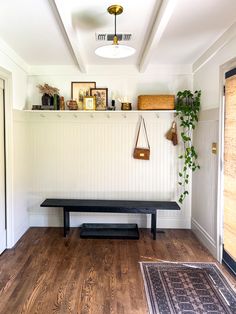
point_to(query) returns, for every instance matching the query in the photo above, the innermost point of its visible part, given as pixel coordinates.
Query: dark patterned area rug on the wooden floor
(187, 288)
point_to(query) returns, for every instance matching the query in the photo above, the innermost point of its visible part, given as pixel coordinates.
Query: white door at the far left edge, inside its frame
(2, 172)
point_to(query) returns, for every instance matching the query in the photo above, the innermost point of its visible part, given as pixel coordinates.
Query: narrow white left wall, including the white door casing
(16, 68)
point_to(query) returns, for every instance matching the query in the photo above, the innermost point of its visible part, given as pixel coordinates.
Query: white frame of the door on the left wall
(6, 76)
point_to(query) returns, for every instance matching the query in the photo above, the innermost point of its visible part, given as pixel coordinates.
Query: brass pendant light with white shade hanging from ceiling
(115, 51)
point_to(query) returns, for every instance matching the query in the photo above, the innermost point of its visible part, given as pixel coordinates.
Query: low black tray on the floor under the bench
(109, 231)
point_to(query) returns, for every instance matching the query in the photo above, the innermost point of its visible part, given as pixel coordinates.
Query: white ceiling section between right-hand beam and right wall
(193, 27)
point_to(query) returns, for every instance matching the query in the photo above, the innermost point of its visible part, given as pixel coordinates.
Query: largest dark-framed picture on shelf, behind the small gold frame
(79, 90)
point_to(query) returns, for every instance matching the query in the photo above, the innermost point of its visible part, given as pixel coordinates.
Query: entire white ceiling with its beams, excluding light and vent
(62, 32)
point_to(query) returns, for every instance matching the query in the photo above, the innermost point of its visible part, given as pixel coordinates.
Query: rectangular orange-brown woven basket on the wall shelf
(156, 102)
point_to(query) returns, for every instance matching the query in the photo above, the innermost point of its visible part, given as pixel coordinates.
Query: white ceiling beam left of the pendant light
(64, 21)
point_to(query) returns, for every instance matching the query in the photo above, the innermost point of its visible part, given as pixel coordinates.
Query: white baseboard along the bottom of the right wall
(204, 237)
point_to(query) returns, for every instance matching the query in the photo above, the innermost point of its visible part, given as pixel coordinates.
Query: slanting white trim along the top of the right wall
(214, 48)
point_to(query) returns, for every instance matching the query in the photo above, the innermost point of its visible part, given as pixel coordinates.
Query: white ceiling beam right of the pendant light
(161, 20)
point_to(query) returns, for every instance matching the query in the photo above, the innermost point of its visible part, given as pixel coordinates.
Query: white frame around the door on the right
(231, 64)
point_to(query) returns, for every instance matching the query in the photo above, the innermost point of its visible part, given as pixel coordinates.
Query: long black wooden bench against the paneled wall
(110, 206)
